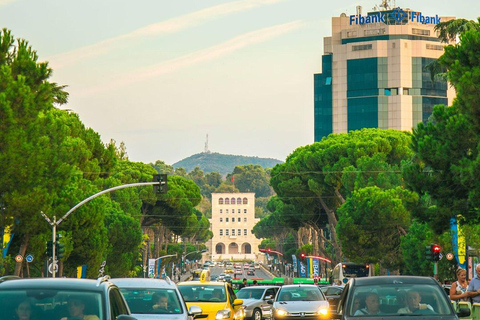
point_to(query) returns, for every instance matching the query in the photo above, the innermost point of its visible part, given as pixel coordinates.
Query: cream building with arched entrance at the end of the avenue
(233, 218)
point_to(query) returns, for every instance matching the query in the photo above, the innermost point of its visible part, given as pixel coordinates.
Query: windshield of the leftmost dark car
(50, 304)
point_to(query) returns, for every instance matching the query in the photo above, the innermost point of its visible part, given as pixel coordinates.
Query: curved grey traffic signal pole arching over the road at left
(162, 182)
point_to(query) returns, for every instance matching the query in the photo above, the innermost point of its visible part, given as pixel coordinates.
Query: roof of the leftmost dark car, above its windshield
(56, 283)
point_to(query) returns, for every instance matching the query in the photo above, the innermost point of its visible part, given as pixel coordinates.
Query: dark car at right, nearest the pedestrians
(396, 297)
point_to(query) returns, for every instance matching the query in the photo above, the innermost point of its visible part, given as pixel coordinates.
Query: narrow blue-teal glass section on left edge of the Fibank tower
(323, 106)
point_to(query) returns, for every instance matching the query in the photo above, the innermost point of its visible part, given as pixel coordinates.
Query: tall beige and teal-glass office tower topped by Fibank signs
(374, 75)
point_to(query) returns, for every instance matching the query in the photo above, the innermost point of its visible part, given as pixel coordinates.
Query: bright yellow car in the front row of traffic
(216, 299)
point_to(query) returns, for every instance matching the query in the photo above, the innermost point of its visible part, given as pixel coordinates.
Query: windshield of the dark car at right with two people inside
(398, 299)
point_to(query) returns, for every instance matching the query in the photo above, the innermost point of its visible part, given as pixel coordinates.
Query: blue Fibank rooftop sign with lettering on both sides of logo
(397, 14)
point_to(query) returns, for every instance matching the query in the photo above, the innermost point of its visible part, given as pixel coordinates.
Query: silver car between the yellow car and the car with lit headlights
(255, 301)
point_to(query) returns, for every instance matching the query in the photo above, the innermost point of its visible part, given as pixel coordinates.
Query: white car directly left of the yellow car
(141, 296)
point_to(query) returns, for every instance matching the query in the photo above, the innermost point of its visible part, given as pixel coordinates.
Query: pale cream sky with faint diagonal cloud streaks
(161, 75)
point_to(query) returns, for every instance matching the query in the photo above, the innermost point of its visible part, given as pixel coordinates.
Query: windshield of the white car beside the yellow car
(152, 300)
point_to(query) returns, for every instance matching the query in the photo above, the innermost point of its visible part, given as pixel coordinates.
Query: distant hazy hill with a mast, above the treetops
(221, 163)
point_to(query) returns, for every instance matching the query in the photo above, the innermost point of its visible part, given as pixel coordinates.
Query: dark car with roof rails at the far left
(55, 298)
